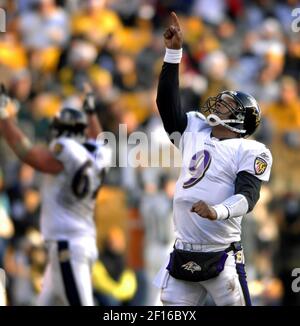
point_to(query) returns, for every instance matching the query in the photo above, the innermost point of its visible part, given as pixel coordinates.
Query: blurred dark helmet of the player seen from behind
(69, 123)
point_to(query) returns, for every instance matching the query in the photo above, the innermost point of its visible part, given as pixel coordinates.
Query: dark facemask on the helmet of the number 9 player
(225, 110)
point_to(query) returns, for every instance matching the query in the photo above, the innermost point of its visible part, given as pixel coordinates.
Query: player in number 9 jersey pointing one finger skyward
(220, 182)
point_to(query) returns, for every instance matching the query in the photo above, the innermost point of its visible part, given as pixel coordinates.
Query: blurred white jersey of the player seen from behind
(68, 198)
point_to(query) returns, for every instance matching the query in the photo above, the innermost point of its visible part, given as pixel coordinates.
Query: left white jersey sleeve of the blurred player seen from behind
(64, 150)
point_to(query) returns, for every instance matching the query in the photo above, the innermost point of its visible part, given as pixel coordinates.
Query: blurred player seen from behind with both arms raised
(73, 165)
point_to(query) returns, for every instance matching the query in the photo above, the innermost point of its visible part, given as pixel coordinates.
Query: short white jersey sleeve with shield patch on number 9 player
(255, 159)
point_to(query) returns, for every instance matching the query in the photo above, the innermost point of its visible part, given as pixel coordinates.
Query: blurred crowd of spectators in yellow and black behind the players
(51, 47)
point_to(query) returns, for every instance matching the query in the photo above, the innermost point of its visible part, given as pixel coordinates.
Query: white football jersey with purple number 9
(208, 173)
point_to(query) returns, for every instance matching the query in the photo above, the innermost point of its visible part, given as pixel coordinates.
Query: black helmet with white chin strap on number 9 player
(245, 115)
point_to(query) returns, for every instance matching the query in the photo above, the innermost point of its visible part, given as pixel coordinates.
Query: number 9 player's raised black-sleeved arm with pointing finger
(168, 97)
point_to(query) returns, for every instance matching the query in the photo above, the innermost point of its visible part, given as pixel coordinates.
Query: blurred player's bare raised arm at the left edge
(40, 158)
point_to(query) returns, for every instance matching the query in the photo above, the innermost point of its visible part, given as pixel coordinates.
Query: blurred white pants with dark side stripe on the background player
(67, 279)
